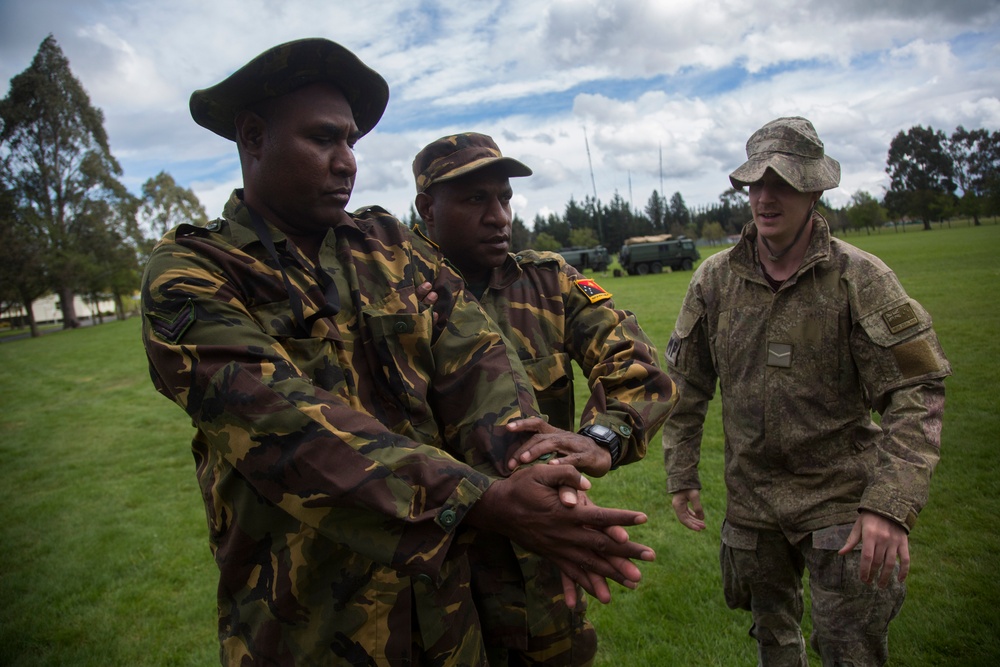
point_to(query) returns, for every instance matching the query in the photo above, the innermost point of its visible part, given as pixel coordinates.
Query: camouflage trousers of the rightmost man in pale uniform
(762, 573)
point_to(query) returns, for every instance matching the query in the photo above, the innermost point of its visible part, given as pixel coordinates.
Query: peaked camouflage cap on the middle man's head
(458, 154)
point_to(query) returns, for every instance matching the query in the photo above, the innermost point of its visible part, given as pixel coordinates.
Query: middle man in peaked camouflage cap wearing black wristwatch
(552, 316)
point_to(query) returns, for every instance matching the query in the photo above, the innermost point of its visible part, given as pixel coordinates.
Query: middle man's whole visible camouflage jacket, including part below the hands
(551, 316)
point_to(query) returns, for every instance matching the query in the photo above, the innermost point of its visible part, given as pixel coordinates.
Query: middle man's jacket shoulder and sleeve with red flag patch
(553, 316)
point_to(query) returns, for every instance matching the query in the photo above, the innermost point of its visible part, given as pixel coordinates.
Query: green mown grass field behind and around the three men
(103, 550)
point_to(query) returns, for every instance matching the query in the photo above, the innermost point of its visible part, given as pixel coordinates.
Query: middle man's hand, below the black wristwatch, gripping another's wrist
(569, 448)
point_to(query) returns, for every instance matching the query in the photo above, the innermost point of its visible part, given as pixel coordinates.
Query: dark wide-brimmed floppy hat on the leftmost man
(285, 68)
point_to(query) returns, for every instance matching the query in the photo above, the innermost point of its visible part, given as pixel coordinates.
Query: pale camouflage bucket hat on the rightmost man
(791, 147)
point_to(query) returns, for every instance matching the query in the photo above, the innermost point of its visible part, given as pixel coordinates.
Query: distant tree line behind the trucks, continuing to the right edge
(933, 177)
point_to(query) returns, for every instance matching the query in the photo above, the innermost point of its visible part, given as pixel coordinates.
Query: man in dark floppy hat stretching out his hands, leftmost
(345, 444)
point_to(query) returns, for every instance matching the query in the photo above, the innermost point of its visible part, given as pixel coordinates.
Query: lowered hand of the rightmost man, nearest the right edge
(883, 541)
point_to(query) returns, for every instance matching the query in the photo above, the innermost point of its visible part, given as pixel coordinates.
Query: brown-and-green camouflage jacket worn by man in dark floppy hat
(324, 400)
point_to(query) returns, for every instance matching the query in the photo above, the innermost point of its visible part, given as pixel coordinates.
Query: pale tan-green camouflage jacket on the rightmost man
(800, 371)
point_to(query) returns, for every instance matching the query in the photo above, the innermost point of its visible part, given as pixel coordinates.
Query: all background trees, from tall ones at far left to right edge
(69, 226)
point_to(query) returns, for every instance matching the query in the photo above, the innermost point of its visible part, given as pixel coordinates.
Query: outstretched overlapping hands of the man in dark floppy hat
(582, 540)
